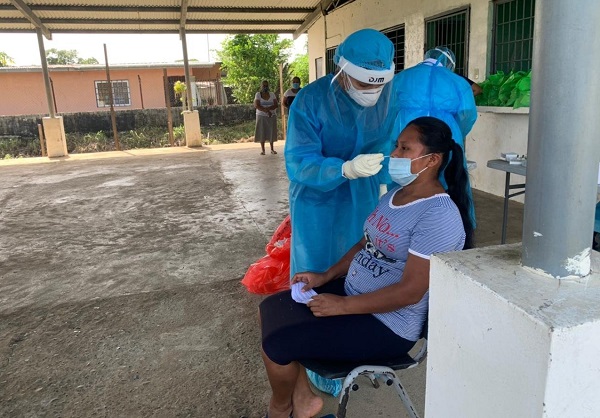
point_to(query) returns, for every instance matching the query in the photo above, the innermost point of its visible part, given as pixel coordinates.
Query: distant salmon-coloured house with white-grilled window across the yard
(84, 88)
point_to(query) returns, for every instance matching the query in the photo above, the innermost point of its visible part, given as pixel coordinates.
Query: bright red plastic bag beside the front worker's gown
(271, 274)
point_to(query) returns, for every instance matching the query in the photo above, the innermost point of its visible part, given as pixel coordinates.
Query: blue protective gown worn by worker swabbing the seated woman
(327, 128)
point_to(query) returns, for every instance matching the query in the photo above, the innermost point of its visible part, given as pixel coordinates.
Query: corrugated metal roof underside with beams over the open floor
(159, 16)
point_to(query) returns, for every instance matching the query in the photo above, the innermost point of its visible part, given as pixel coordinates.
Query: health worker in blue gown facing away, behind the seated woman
(431, 88)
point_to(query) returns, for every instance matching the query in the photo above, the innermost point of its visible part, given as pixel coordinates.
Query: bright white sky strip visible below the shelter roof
(121, 48)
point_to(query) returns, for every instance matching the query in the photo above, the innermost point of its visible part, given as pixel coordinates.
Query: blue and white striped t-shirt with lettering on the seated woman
(422, 228)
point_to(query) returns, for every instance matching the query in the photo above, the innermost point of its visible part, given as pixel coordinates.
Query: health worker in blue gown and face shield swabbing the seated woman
(337, 136)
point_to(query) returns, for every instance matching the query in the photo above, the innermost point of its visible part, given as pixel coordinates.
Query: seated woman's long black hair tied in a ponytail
(436, 136)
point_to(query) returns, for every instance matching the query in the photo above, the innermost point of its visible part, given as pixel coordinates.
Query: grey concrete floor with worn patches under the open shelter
(119, 284)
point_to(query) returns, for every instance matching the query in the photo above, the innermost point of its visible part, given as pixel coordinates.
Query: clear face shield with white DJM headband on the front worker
(359, 97)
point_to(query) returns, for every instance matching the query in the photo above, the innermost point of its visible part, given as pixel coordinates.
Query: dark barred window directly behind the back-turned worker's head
(452, 31)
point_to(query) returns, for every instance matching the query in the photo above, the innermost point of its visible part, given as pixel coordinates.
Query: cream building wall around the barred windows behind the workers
(497, 130)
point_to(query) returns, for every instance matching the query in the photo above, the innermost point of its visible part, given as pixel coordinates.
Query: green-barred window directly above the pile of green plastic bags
(513, 35)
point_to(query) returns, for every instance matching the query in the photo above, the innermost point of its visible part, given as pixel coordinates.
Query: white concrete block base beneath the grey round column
(507, 342)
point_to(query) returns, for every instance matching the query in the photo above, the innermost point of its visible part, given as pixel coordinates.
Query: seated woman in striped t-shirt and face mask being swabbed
(372, 304)
